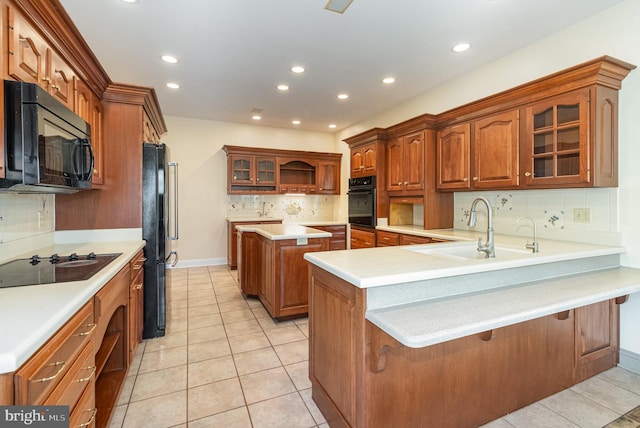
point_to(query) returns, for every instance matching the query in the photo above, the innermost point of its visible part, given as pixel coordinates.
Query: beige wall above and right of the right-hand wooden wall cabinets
(613, 32)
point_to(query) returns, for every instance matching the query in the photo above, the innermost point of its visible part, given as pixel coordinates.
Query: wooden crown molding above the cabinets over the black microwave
(62, 34)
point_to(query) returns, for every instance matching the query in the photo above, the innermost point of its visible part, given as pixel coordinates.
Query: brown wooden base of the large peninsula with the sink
(362, 377)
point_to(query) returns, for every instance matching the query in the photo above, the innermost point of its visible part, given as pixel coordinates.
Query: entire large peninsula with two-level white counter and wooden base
(435, 335)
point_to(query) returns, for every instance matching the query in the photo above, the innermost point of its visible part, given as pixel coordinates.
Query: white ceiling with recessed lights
(233, 53)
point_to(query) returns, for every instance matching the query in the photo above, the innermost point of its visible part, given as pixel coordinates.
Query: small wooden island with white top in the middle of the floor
(271, 265)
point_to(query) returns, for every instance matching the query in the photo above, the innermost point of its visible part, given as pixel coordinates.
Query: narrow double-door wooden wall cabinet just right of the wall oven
(405, 164)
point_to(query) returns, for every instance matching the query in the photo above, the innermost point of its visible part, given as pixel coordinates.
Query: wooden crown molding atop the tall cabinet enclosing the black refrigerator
(138, 95)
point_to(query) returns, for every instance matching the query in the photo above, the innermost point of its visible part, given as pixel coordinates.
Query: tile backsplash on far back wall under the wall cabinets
(287, 207)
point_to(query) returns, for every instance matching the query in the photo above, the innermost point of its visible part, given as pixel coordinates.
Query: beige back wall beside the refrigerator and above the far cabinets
(197, 147)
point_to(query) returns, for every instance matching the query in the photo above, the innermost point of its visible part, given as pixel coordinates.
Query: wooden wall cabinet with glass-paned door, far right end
(571, 140)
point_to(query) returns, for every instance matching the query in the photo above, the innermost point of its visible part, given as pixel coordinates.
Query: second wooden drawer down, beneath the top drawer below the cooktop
(81, 374)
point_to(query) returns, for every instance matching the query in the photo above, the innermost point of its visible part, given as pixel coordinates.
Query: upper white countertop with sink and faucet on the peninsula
(372, 267)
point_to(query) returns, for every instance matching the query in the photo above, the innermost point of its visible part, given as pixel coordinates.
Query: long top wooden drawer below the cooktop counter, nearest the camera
(40, 375)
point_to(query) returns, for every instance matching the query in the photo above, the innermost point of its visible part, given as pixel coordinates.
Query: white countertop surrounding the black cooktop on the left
(30, 315)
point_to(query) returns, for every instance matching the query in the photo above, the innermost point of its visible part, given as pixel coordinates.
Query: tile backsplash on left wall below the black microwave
(24, 216)
